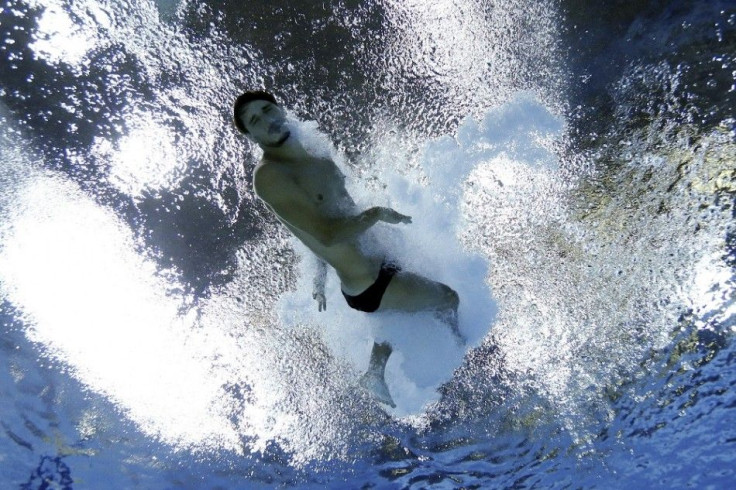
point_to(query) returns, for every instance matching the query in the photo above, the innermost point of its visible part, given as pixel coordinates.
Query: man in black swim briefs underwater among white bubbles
(307, 194)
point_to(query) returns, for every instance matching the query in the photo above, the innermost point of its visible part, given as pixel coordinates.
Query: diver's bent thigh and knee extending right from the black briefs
(411, 292)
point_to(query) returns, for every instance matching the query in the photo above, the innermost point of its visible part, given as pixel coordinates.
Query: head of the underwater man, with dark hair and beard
(258, 116)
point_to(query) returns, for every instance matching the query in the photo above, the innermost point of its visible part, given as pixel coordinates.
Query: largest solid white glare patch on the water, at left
(99, 308)
